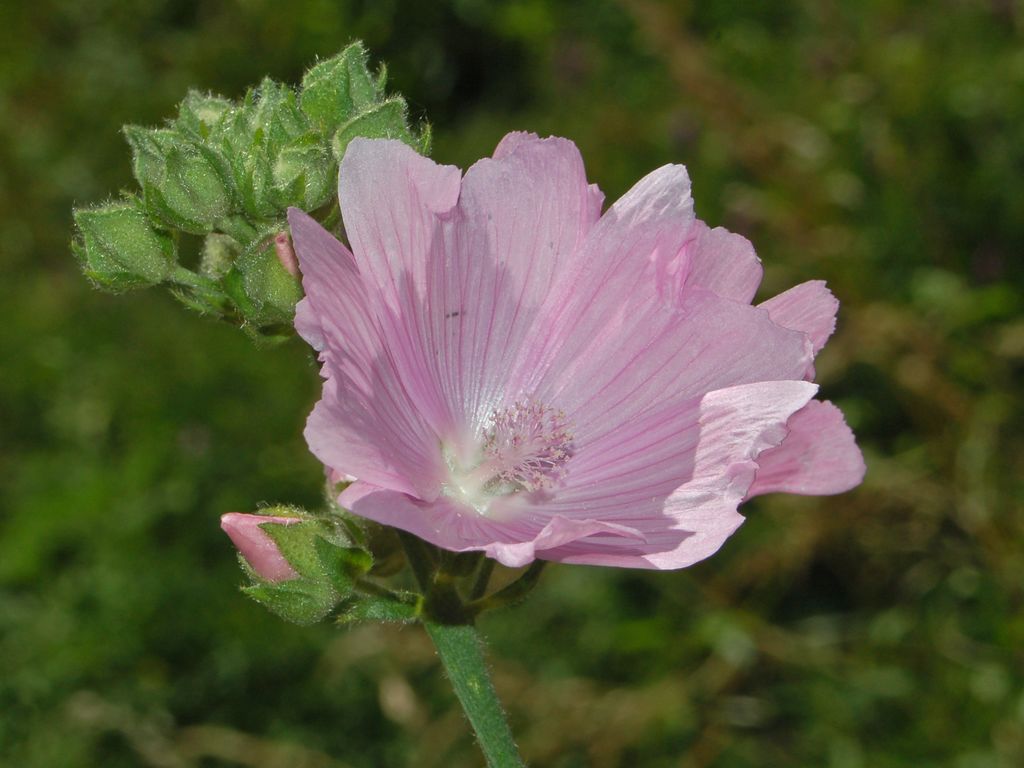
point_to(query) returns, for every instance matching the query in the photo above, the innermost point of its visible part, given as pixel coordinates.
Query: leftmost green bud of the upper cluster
(119, 249)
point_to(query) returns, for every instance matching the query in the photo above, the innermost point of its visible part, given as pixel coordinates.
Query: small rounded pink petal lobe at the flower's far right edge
(820, 457)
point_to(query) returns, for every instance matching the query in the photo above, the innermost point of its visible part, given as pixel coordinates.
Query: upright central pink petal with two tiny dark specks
(520, 223)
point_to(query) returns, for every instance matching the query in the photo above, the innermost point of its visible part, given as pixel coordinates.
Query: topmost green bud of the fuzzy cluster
(335, 91)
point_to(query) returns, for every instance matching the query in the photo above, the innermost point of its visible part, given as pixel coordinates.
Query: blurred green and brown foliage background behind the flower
(878, 145)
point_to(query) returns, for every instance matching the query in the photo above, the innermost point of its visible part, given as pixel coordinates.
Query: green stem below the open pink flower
(462, 654)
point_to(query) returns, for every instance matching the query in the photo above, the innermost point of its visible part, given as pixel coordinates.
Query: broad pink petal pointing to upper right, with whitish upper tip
(611, 343)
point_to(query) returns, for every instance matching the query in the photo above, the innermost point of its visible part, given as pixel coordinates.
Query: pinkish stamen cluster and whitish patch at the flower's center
(525, 449)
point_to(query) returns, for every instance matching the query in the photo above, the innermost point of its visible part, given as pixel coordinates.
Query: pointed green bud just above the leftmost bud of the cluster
(184, 183)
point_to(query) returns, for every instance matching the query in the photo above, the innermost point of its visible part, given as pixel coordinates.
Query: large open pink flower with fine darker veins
(508, 370)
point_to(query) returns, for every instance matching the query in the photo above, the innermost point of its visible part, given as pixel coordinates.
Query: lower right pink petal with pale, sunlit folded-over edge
(676, 478)
